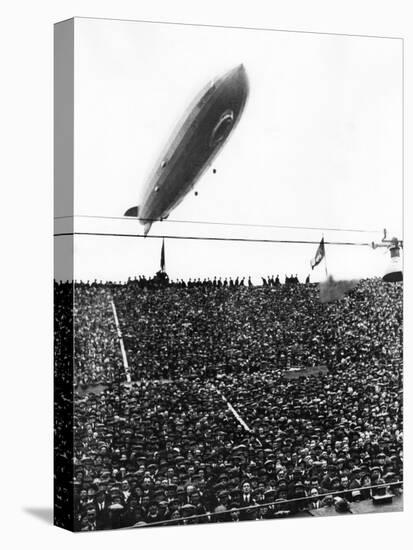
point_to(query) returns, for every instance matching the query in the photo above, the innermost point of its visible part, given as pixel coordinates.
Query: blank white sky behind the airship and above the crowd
(319, 145)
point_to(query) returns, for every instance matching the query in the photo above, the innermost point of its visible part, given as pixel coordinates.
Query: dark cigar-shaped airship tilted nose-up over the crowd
(206, 126)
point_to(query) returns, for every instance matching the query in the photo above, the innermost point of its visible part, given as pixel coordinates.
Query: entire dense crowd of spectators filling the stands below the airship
(211, 428)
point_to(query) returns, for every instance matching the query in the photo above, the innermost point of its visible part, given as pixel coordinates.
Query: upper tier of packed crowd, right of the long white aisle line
(180, 330)
